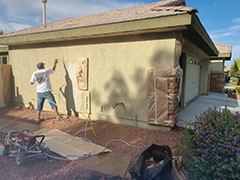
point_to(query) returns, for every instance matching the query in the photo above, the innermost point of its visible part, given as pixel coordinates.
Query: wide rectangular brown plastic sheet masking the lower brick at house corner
(158, 95)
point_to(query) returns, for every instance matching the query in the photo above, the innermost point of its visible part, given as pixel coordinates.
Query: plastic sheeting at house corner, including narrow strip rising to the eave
(157, 91)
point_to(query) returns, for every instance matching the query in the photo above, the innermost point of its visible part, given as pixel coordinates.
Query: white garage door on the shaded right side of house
(192, 79)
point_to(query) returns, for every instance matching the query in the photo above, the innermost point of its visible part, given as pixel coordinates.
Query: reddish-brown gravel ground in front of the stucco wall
(37, 168)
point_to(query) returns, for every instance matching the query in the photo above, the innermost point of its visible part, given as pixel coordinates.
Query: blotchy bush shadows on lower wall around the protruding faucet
(119, 95)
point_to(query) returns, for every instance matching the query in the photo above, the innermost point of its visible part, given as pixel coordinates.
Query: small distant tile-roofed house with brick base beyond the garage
(218, 77)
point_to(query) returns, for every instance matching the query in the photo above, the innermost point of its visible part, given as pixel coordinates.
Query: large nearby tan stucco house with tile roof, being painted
(135, 66)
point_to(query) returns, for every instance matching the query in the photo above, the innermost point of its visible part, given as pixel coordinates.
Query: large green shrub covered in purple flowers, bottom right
(212, 147)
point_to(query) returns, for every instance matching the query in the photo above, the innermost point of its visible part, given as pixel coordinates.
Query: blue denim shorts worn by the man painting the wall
(41, 98)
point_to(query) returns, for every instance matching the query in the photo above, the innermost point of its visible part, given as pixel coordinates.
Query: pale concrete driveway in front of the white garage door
(201, 104)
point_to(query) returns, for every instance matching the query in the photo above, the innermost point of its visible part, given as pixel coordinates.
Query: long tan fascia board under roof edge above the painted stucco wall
(175, 22)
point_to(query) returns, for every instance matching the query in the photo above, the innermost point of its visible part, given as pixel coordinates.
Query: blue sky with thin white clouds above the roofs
(220, 18)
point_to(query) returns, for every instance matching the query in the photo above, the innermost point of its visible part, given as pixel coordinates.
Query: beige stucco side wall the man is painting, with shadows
(117, 73)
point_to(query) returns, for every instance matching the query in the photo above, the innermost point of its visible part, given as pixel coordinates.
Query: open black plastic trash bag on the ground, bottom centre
(154, 163)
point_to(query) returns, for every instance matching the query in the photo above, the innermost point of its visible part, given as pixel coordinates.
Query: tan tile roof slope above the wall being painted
(153, 10)
